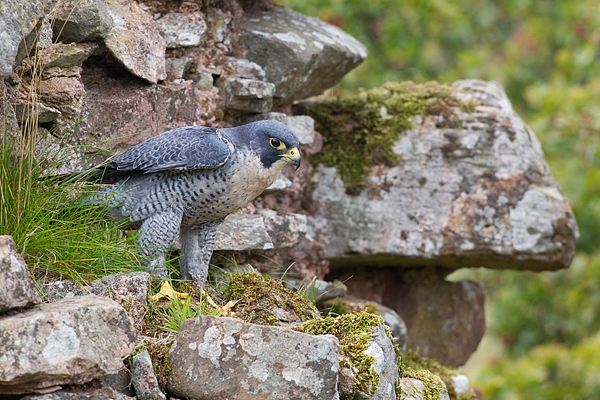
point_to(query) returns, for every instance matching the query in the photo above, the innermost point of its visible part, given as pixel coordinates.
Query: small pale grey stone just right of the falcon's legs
(243, 232)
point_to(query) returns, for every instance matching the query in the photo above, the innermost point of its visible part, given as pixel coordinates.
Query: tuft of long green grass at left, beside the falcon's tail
(57, 236)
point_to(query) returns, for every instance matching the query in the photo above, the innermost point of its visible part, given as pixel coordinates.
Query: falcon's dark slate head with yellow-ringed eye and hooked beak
(273, 142)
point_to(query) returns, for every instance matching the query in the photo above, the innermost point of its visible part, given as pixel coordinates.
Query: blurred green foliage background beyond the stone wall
(546, 54)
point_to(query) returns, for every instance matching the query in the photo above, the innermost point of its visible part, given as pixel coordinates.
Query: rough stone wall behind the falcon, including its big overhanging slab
(469, 190)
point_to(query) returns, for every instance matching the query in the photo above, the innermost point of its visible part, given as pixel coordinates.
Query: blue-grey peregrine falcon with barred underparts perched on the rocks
(187, 181)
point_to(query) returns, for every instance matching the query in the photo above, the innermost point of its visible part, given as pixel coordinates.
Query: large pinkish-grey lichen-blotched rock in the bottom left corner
(68, 342)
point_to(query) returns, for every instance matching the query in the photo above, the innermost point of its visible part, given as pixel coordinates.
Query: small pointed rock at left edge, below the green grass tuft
(17, 289)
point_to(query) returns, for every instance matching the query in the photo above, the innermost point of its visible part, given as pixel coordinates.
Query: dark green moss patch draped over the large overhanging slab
(360, 130)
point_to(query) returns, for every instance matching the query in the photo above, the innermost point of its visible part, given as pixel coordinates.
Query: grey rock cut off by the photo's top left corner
(20, 22)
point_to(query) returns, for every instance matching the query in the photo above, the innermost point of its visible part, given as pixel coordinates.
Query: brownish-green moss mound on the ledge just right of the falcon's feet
(260, 297)
